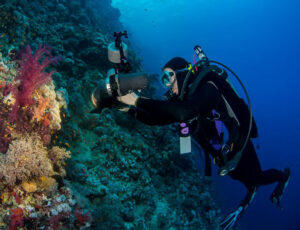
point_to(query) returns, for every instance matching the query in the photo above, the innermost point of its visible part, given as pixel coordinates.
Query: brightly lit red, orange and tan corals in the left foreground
(31, 170)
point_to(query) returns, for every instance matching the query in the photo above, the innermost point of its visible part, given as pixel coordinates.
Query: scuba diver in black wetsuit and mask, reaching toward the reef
(200, 100)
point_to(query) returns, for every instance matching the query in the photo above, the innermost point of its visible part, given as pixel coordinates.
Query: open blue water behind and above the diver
(259, 40)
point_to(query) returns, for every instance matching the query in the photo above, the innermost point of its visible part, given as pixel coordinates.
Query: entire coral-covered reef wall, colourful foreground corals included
(62, 167)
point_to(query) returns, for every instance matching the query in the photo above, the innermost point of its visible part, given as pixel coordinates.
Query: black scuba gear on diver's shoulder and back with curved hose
(202, 71)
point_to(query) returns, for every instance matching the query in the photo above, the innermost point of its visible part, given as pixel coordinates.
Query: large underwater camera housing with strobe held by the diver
(119, 80)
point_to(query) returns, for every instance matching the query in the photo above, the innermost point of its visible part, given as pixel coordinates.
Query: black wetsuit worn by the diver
(206, 98)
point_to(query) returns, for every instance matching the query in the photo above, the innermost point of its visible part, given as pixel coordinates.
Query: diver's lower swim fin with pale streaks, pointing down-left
(234, 216)
